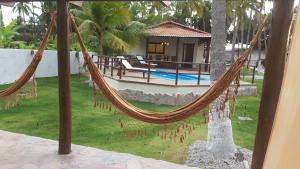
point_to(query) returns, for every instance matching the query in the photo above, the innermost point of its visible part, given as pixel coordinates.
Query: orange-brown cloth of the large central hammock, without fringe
(183, 113)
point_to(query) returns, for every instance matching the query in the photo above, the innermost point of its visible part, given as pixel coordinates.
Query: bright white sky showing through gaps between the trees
(8, 15)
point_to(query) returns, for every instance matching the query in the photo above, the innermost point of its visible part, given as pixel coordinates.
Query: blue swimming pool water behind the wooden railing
(181, 76)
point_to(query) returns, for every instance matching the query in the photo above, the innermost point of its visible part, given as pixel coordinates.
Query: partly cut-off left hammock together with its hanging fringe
(25, 86)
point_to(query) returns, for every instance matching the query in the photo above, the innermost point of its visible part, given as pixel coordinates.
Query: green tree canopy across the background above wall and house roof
(113, 27)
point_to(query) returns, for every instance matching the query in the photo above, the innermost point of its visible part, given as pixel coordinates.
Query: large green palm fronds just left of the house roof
(107, 26)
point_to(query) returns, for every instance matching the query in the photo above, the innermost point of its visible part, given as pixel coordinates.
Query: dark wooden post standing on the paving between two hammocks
(63, 55)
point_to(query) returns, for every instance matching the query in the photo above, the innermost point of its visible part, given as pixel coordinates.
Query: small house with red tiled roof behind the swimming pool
(171, 41)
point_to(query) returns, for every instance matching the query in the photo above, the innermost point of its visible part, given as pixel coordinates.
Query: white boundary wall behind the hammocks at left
(13, 62)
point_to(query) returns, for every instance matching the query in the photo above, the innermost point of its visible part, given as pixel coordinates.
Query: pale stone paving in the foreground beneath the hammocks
(18, 151)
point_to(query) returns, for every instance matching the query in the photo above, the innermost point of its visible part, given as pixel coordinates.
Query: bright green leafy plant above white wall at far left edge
(7, 34)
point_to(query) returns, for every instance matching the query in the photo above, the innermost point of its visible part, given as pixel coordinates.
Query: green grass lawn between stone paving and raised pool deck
(98, 128)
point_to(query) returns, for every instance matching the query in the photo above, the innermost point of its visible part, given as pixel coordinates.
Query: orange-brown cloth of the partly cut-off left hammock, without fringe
(28, 73)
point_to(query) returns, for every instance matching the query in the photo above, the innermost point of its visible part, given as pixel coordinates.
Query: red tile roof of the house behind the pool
(173, 29)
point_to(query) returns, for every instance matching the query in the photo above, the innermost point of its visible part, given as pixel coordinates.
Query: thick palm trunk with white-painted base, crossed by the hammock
(220, 139)
